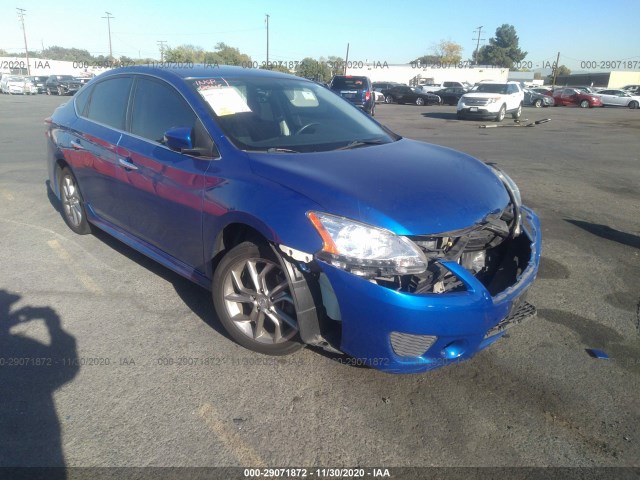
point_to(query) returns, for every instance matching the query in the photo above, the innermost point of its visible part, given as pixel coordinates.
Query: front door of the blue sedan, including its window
(162, 189)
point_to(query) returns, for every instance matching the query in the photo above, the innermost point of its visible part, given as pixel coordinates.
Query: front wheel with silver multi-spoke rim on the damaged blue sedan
(252, 297)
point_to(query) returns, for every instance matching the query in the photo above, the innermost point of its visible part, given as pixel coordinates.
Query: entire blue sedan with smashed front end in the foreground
(309, 222)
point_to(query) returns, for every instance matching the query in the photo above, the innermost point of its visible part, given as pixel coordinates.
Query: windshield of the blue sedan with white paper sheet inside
(286, 115)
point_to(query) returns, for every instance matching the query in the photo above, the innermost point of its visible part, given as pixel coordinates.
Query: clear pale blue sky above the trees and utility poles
(581, 31)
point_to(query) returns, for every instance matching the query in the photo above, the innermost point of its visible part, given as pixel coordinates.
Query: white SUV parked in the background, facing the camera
(492, 99)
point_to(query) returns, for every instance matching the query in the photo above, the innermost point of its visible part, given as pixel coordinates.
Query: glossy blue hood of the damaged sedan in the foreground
(408, 187)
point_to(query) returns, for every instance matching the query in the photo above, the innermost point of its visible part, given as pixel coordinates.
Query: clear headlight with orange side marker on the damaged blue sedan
(365, 250)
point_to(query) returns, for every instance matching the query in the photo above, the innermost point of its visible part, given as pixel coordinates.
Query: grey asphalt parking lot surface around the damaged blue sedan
(142, 373)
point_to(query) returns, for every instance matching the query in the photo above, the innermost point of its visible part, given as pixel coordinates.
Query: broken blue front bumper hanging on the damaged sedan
(401, 332)
